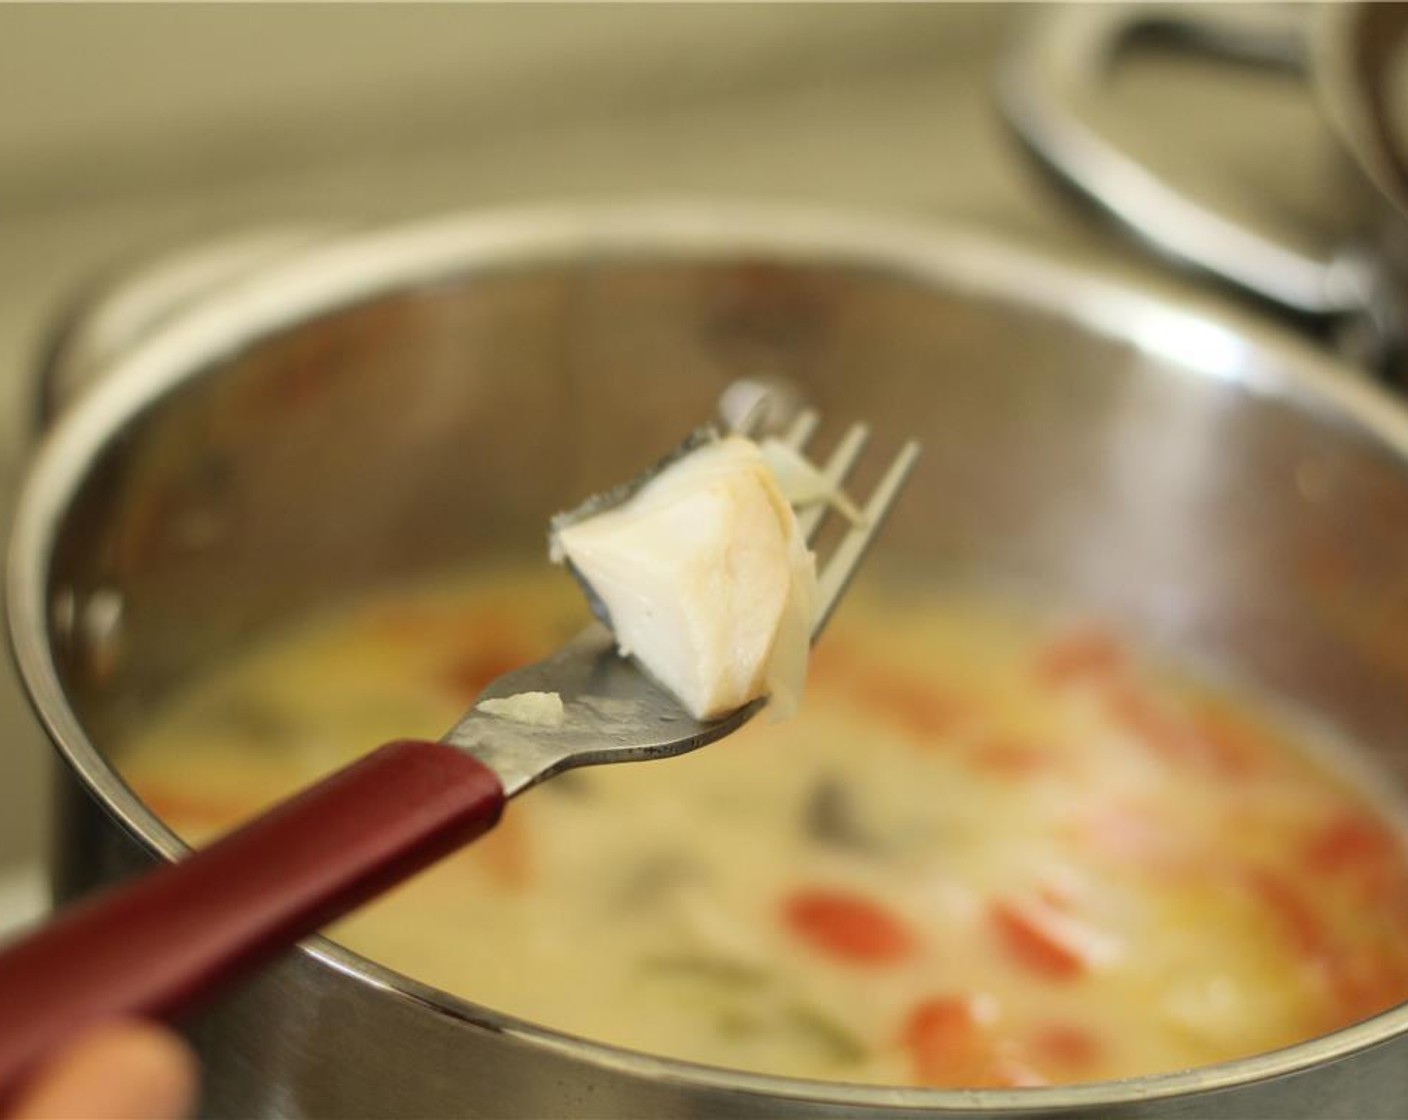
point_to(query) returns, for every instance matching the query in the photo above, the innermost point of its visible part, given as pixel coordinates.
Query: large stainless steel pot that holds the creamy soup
(395, 402)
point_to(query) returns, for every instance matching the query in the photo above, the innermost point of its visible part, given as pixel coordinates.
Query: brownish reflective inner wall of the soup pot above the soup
(446, 425)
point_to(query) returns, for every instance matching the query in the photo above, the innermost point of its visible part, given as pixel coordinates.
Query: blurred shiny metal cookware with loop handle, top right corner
(1355, 57)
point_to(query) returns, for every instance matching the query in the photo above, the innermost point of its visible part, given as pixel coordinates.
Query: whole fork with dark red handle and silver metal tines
(161, 945)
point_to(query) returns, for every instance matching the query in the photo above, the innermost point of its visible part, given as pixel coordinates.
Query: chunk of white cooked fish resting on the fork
(703, 577)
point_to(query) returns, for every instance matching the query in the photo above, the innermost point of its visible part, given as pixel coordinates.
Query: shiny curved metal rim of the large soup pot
(1198, 335)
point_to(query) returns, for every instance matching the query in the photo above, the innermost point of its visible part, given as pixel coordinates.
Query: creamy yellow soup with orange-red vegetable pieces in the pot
(991, 850)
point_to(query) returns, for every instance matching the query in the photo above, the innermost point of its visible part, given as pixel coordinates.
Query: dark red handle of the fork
(160, 945)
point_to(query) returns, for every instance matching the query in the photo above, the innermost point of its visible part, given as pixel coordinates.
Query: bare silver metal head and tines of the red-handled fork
(613, 712)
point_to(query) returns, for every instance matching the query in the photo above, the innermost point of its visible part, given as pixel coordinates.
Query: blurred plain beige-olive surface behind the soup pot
(132, 129)
